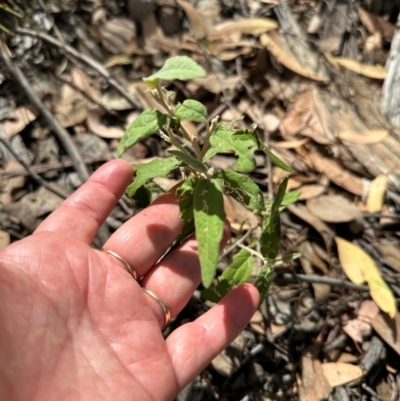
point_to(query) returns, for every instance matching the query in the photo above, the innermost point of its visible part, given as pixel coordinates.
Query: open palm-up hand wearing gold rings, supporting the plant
(75, 325)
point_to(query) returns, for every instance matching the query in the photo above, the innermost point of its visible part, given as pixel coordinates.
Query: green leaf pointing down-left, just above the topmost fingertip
(148, 122)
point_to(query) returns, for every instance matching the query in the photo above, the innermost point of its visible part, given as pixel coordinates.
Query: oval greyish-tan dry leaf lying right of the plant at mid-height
(333, 209)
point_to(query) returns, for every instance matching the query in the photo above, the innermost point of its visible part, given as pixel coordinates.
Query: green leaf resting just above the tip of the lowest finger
(238, 272)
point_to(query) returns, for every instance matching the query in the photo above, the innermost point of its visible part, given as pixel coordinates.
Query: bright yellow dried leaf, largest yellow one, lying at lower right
(360, 267)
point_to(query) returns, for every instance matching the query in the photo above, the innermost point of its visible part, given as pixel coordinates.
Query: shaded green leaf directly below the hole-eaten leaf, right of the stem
(241, 188)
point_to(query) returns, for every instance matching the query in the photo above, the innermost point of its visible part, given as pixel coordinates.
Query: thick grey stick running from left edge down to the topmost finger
(60, 132)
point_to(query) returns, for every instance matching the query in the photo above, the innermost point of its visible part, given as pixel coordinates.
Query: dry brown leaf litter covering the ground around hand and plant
(316, 106)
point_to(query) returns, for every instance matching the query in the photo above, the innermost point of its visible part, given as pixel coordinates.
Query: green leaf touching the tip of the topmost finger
(156, 168)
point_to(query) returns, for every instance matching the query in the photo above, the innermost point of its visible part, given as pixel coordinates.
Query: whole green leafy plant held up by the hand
(201, 204)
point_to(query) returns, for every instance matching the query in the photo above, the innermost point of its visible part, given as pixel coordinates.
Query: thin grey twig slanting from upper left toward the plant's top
(85, 59)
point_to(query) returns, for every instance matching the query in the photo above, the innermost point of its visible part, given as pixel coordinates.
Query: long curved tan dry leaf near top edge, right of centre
(247, 26)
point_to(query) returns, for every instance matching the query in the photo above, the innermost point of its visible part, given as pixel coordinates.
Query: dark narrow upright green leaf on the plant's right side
(271, 236)
